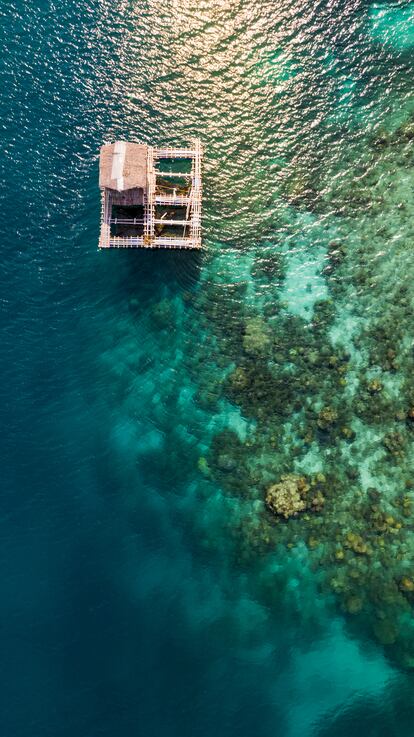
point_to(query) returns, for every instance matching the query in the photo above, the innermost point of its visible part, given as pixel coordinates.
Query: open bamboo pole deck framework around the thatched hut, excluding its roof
(155, 196)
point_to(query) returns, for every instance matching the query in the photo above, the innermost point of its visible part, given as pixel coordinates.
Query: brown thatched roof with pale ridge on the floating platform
(123, 166)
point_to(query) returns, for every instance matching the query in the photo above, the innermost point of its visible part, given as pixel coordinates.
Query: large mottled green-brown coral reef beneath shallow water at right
(336, 393)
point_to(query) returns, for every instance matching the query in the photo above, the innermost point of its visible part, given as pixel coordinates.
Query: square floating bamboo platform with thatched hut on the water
(144, 206)
